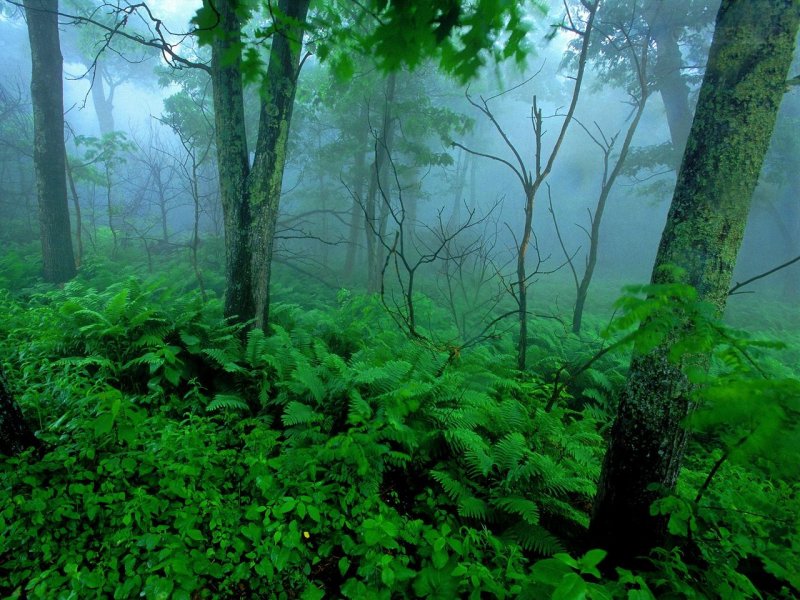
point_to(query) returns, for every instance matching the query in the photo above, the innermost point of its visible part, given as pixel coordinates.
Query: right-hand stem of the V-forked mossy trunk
(266, 179)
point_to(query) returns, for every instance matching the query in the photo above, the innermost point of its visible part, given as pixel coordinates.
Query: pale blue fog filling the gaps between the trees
(445, 180)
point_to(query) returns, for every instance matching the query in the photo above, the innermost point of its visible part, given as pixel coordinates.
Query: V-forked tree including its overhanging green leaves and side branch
(463, 37)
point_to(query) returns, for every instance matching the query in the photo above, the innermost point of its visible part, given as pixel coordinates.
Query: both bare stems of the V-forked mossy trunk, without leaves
(251, 196)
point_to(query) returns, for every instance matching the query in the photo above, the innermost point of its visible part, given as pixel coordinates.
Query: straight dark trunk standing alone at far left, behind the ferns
(47, 96)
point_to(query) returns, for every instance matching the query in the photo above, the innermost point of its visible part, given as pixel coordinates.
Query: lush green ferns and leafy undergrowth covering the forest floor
(188, 458)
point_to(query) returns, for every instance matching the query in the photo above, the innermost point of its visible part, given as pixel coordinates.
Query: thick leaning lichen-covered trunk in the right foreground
(743, 86)
